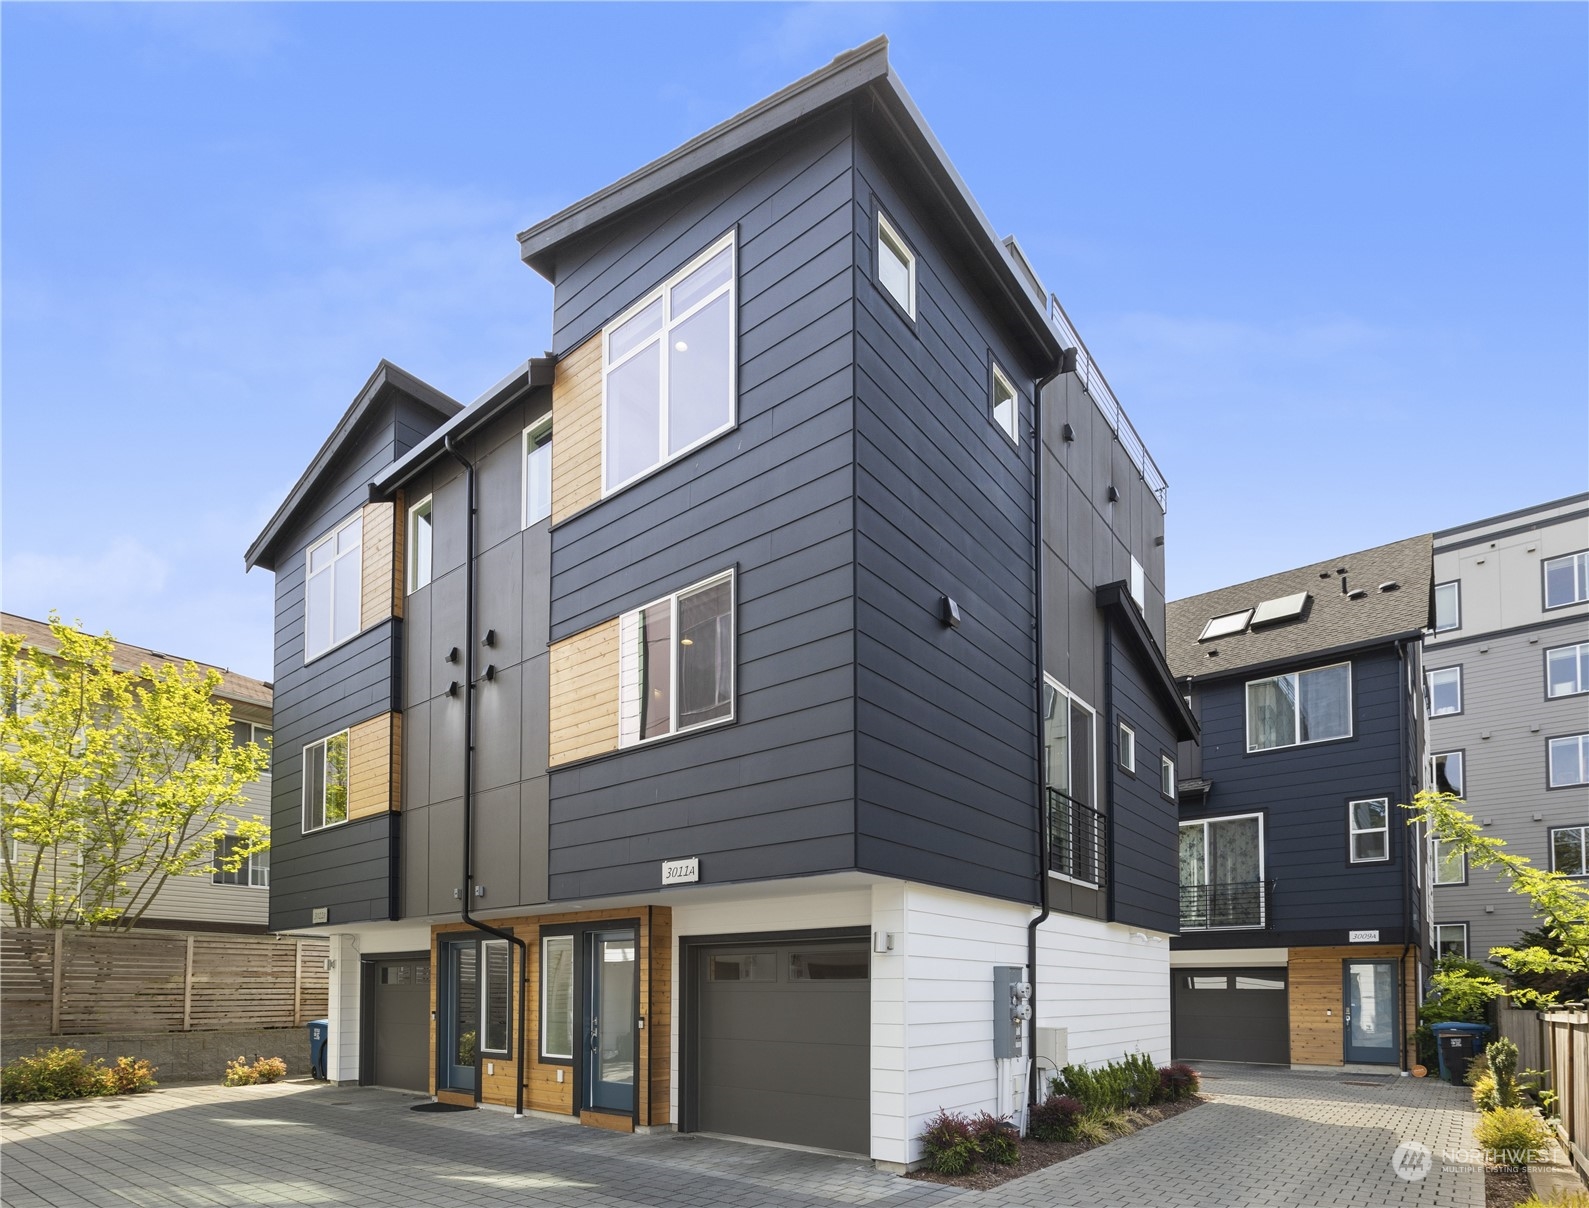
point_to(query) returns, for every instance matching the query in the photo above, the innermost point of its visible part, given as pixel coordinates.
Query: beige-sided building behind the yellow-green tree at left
(223, 902)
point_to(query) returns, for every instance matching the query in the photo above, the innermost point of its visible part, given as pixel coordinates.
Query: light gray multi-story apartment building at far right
(1509, 722)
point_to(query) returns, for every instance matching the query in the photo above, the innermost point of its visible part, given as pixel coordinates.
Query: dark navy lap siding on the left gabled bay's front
(346, 869)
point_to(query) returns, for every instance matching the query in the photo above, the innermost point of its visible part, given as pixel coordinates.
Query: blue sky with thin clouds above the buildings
(1332, 258)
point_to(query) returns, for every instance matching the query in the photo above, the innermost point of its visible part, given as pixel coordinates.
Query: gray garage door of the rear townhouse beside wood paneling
(1232, 1016)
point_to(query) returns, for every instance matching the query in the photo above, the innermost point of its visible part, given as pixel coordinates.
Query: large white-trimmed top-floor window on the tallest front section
(668, 370)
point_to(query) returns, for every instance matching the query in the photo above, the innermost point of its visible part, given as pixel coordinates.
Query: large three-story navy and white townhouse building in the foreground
(702, 660)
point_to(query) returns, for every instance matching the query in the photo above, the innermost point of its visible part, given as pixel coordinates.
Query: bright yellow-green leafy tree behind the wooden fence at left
(112, 783)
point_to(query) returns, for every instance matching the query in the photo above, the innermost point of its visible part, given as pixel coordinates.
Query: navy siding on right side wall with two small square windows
(946, 732)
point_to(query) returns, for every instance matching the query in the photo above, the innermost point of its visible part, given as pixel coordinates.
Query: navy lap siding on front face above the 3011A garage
(773, 792)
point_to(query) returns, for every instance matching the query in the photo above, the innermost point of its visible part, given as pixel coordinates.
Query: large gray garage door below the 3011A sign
(784, 1043)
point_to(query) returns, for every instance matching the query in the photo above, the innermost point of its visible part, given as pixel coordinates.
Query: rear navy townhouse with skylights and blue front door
(1304, 910)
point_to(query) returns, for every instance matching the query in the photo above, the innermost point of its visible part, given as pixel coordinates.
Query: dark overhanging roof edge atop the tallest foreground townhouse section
(859, 74)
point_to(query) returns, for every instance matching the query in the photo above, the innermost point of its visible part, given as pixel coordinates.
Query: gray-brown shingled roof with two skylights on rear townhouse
(1331, 621)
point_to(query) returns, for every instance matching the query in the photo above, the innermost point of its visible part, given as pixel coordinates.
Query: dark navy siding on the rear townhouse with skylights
(1302, 794)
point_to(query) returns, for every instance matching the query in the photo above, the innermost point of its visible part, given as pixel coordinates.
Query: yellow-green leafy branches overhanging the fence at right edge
(1560, 948)
